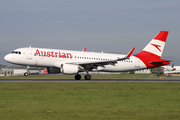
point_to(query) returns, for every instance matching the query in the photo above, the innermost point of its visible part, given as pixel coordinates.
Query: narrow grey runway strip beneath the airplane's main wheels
(86, 81)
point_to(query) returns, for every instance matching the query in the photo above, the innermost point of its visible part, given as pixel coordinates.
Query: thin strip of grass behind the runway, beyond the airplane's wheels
(93, 77)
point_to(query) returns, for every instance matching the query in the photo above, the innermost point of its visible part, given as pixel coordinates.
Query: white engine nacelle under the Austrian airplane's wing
(69, 69)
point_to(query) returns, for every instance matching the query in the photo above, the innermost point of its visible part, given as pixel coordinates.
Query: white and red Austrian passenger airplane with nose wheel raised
(74, 62)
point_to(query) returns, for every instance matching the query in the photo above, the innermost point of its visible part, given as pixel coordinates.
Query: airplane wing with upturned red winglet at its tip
(95, 64)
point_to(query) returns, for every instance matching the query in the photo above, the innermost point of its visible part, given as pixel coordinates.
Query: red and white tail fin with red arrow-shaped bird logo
(155, 48)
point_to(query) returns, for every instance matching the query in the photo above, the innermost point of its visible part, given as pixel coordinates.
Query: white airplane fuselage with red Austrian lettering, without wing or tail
(42, 57)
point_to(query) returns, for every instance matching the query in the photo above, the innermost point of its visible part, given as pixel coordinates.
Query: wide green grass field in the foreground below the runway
(89, 101)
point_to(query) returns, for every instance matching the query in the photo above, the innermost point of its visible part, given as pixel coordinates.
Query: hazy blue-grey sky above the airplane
(112, 26)
